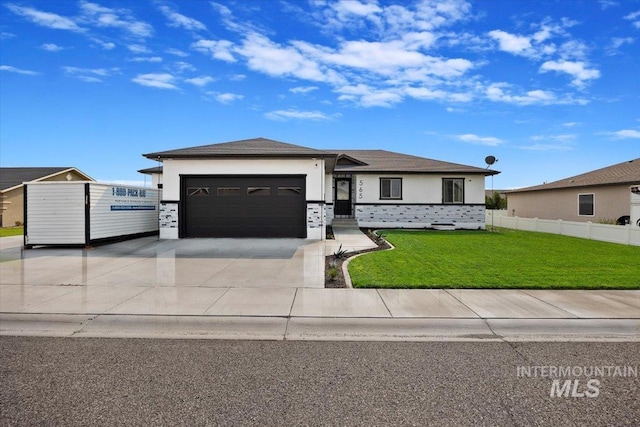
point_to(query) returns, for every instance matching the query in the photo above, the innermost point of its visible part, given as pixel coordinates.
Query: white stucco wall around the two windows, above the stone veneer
(418, 188)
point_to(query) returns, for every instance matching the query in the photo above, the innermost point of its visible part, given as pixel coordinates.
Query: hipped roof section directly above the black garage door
(256, 147)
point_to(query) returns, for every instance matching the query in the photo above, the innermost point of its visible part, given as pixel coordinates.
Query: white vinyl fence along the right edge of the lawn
(623, 234)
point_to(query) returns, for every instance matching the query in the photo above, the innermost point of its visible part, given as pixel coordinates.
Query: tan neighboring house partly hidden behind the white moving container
(11, 188)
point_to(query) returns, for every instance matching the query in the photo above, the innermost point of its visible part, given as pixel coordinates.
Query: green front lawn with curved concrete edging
(502, 259)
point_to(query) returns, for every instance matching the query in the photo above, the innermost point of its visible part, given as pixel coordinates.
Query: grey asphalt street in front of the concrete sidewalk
(85, 381)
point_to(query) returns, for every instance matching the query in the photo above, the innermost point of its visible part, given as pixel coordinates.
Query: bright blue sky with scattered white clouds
(551, 88)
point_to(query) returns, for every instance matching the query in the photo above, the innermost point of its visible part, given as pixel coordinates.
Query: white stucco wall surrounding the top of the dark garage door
(312, 168)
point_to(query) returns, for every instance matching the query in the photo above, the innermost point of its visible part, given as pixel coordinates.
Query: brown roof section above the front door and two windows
(375, 161)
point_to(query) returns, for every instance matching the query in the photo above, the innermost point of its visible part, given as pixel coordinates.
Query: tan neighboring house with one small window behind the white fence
(600, 195)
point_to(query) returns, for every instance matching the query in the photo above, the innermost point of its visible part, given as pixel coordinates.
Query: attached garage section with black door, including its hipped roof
(249, 188)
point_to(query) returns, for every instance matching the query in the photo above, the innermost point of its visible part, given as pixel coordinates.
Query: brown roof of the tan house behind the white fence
(622, 173)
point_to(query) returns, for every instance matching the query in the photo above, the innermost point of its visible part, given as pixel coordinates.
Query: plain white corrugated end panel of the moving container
(55, 214)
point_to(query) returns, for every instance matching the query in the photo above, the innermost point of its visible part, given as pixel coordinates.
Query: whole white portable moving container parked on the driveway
(87, 213)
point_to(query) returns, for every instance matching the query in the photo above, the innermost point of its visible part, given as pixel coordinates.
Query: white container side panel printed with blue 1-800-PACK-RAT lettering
(121, 210)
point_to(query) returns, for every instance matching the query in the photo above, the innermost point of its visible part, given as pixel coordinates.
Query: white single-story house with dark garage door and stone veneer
(265, 188)
